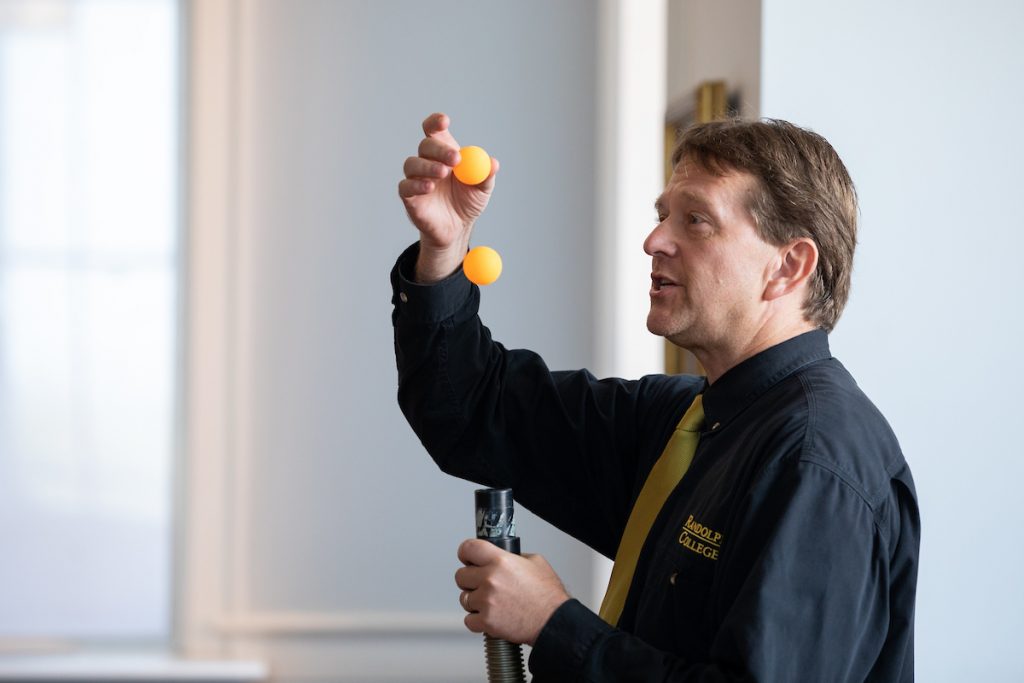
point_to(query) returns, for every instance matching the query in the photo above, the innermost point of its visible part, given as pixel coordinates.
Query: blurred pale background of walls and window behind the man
(204, 473)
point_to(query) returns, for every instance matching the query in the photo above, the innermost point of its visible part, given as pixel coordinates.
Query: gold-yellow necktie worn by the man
(664, 478)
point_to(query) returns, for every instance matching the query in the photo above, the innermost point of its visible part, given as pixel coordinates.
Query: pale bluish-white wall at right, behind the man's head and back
(923, 102)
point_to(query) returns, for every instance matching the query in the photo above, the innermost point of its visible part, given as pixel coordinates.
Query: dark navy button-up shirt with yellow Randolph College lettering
(789, 551)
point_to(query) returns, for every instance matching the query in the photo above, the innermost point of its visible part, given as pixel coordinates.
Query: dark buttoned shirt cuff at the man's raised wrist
(432, 304)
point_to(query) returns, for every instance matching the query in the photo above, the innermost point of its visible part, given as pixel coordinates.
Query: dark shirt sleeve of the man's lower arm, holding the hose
(810, 603)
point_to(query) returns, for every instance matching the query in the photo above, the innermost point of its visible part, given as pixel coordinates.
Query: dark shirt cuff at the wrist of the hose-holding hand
(566, 643)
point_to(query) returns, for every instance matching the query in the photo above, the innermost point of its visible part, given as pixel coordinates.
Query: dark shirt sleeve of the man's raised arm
(571, 446)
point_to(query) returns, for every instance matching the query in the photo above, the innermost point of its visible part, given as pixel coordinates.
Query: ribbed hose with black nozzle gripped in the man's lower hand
(496, 524)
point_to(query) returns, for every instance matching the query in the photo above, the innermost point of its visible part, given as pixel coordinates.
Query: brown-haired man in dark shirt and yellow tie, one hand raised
(763, 520)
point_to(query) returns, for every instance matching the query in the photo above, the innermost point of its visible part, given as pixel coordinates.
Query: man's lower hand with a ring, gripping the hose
(507, 596)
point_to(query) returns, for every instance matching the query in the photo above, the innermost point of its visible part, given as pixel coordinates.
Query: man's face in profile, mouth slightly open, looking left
(709, 265)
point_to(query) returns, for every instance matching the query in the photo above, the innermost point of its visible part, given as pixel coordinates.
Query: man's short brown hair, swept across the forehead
(803, 191)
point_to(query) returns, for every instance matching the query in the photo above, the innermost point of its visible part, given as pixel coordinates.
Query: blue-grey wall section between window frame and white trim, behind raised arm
(337, 95)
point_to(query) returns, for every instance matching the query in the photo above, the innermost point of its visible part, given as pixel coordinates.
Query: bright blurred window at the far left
(90, 278)
